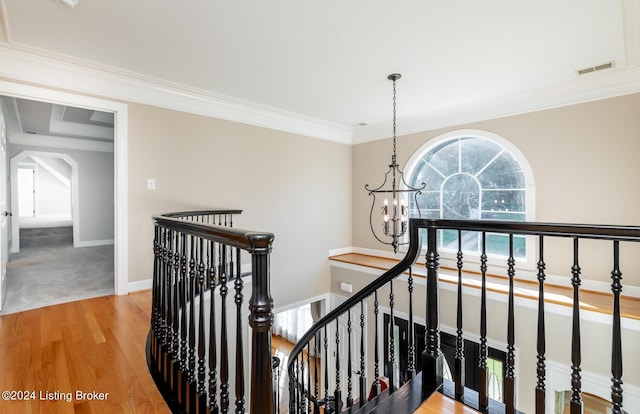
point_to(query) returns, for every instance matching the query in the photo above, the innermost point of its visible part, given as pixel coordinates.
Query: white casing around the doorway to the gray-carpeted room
(119, 114)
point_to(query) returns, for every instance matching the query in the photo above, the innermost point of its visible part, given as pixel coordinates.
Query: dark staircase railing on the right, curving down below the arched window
(317, 374)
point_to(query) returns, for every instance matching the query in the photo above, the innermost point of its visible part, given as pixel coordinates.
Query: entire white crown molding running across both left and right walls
(55, 71)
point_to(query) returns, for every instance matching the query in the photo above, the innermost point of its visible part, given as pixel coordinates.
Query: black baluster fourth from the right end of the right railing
(510, 377)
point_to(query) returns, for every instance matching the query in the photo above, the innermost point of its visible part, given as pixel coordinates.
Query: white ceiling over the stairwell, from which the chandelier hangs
(329, 60)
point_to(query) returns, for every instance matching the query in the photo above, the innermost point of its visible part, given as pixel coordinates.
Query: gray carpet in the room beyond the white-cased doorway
(48, 275)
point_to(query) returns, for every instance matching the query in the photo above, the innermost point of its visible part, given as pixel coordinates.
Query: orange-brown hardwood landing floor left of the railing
(94, 346)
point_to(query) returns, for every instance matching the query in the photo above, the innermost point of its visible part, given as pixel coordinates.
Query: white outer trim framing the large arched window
(449, 259)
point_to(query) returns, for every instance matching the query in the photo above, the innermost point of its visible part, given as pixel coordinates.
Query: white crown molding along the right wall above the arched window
(586, 88)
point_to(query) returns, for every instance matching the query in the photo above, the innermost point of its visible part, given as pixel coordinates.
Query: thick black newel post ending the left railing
(260, 321)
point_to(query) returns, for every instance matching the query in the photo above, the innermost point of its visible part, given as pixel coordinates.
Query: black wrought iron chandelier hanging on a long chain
(395, 213)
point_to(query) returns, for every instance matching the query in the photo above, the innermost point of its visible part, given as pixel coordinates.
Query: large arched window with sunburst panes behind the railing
(473, 175)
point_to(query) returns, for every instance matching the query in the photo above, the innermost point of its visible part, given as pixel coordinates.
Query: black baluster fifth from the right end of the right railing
(483, 373)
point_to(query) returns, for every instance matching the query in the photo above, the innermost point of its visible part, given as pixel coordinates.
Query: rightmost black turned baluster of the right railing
(616, 344)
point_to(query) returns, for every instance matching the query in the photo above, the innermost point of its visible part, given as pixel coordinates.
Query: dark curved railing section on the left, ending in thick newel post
(196, 345)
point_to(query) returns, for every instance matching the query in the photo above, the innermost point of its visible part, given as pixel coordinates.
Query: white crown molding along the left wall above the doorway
(55, 71)
